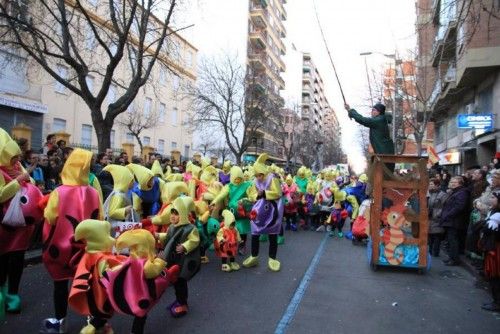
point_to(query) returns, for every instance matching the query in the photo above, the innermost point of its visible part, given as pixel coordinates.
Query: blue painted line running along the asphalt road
(301, 289)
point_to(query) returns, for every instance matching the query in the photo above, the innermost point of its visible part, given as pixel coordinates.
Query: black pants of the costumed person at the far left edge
(11, 269)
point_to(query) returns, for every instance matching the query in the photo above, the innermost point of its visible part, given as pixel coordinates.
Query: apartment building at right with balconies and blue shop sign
(459, 51)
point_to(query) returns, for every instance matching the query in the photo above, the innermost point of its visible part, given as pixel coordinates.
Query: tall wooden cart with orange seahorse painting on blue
(398, 215)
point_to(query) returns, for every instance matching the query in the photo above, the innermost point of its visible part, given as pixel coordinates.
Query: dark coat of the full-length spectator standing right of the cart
(455, 212)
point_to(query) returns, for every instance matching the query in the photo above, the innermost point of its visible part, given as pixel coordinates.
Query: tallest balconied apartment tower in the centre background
(265, 51)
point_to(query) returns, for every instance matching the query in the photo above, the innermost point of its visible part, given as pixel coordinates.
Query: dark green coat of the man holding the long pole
(380, 138)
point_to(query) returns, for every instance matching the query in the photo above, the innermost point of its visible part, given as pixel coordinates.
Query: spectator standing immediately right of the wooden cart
(435, 206)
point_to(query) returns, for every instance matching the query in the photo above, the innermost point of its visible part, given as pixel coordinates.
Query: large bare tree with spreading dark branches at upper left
(117, 42)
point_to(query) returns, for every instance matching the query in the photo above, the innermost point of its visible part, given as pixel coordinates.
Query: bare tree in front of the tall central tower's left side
(230, 102)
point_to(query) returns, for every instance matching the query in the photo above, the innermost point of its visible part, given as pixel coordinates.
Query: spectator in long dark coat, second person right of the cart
(454, 217)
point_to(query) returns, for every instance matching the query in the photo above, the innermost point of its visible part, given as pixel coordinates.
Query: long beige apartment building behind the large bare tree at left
(31, 96)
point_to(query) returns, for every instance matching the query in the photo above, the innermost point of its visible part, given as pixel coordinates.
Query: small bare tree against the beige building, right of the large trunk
(136, 121)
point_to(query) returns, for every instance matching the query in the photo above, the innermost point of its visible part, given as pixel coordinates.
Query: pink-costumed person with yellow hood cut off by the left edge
(20, 212)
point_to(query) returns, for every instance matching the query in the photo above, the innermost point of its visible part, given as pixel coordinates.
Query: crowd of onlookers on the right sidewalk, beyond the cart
(462, 212)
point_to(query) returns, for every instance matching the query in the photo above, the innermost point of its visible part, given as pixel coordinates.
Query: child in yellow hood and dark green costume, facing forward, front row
(182, 248)
